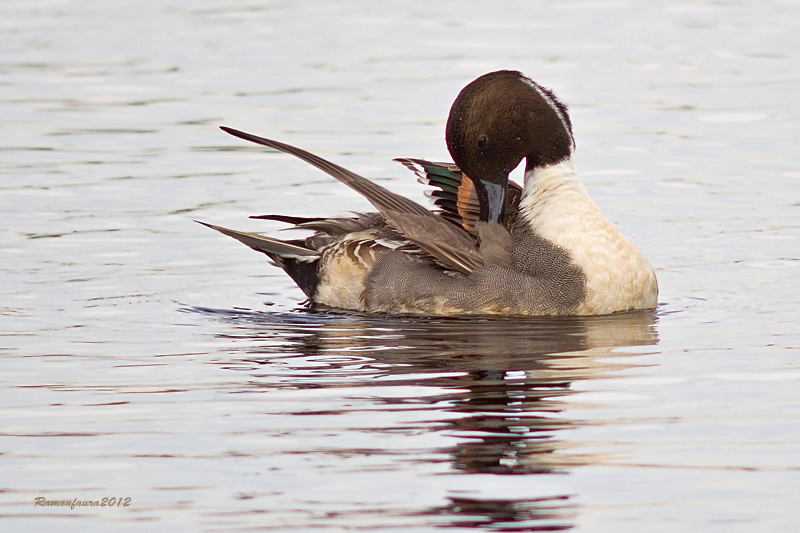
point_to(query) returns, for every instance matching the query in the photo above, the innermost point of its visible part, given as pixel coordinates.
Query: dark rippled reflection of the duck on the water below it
(500, 386)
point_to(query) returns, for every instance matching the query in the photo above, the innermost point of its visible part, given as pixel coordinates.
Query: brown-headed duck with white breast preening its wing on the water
(490, 246)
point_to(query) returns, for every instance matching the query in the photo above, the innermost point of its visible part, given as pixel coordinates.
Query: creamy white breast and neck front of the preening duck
(618, 276)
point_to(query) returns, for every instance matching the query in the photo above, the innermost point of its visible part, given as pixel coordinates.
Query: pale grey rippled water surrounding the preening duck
(146, 357)
